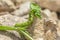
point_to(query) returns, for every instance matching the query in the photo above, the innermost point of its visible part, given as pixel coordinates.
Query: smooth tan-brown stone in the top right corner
(50, 4)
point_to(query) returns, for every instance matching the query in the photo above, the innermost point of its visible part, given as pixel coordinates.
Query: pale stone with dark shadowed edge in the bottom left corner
(5, 35)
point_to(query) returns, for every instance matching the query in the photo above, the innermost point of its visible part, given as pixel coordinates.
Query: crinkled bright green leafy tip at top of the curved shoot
(35, 9)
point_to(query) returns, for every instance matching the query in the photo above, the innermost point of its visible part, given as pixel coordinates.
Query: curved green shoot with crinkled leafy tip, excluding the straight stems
(34, 11)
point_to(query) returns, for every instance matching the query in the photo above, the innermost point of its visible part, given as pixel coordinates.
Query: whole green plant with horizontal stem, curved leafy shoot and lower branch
(21, 27)
